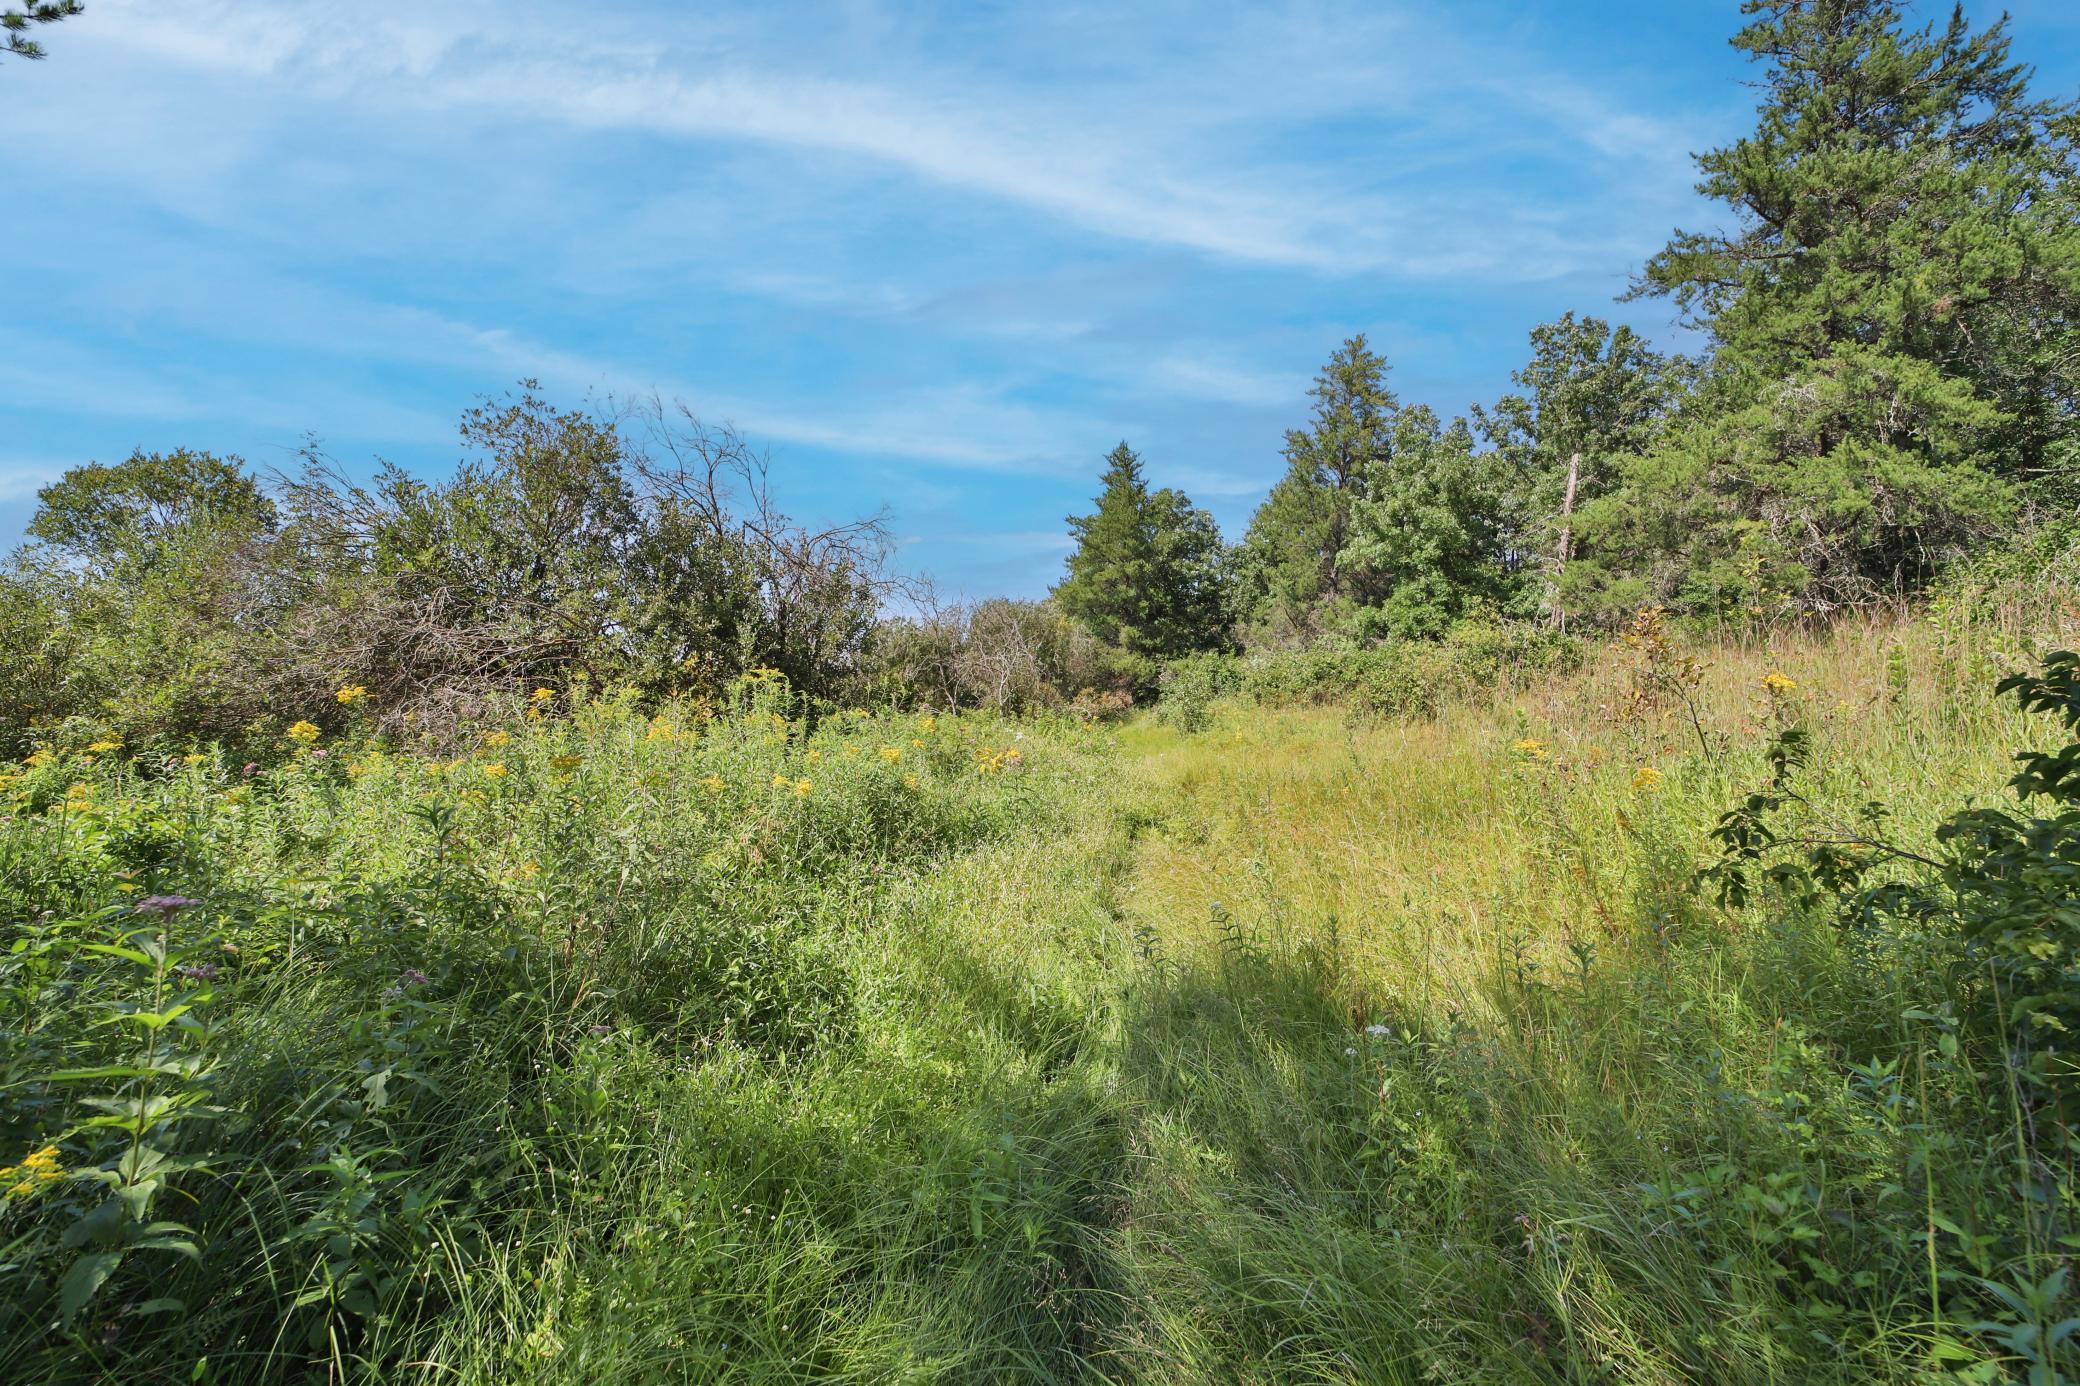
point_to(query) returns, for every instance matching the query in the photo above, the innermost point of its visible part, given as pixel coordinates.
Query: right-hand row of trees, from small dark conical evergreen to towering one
(1890, 386)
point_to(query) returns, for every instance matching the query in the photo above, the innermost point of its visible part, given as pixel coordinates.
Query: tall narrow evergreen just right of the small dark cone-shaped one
(1291, 553)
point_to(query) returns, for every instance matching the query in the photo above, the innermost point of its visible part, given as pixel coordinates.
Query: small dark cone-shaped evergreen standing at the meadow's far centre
(1149, 571)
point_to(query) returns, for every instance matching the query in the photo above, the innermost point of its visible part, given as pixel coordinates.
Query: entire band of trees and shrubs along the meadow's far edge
(1892, 386)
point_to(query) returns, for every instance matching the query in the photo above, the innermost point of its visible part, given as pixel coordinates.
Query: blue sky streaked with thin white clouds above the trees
(937, 259)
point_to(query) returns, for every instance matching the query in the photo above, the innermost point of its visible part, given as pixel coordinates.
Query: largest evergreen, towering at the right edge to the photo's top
(1888, 319)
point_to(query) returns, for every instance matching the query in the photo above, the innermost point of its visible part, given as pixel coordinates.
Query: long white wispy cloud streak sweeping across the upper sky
(1195, 165)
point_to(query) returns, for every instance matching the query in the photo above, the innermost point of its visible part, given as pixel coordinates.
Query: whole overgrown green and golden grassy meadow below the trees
(1024, 1069)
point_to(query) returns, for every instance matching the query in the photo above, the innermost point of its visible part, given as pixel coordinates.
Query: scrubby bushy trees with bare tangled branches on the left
(174, 600)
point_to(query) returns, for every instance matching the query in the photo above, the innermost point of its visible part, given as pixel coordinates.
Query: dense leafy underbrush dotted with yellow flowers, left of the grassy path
(317, 1064)
